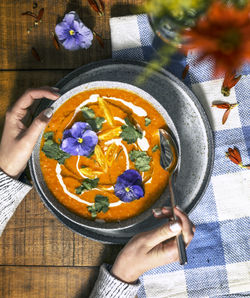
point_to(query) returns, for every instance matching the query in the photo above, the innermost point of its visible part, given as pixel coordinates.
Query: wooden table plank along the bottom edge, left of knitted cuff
(46, 282)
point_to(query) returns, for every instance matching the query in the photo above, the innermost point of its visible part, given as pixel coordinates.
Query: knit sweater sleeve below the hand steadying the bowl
(11, 194)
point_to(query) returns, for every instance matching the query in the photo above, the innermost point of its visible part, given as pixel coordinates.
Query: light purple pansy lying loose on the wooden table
(72, 33)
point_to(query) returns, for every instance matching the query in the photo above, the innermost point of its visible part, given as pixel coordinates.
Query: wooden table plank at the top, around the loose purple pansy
(16, 43)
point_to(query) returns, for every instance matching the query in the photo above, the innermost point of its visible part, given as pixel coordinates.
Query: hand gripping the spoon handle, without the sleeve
(151, 249)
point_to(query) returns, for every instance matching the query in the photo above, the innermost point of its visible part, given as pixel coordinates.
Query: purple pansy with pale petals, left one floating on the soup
(79, 140)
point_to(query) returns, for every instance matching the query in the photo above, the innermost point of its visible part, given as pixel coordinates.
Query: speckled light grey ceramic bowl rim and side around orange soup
(48, 196)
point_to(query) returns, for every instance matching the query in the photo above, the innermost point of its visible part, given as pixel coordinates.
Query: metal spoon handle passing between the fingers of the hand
(179, 238)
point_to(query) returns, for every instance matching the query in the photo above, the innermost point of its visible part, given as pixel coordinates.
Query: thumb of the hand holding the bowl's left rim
(38, 124)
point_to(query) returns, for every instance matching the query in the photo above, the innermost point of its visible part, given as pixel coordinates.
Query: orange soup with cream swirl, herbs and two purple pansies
(100, 154)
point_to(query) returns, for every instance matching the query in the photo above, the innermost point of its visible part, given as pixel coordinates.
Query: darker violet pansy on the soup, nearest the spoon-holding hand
(128, 186)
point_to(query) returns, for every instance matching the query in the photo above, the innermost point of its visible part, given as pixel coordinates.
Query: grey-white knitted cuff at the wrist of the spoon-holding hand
(109, 287)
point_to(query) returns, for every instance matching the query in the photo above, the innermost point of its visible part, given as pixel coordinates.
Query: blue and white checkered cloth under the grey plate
(219, 255)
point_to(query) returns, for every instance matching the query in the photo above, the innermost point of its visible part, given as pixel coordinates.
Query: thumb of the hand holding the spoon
(164, 232)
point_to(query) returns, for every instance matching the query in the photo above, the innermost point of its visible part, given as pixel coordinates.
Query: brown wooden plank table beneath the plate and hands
(40, 257)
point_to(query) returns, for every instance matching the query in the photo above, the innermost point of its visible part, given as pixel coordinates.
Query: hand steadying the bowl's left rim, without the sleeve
(19, 138)
